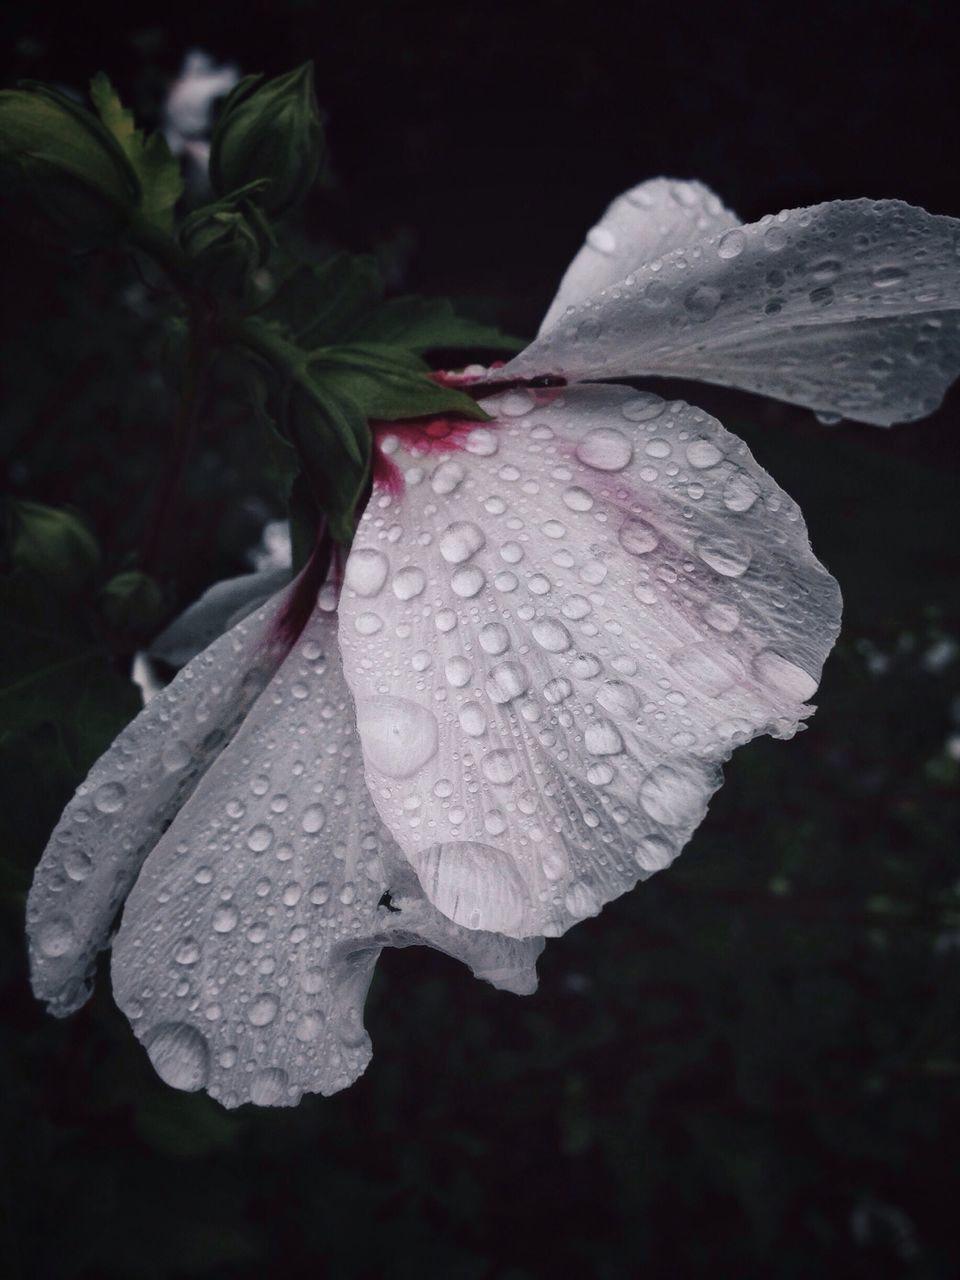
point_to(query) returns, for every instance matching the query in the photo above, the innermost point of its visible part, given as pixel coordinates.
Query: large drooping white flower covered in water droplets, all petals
(555, 628)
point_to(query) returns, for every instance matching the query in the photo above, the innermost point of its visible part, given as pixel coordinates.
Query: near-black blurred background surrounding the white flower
(751, 1067)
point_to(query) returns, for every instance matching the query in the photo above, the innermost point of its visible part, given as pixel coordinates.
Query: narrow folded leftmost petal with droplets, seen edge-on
(126, 803)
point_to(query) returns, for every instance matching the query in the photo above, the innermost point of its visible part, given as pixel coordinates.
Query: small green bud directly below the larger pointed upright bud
(227, 246)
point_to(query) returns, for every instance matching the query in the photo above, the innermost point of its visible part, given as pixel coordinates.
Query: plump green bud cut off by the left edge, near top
(71, 166)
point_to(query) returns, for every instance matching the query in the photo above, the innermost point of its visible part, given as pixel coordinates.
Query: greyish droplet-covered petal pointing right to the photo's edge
(851, 308)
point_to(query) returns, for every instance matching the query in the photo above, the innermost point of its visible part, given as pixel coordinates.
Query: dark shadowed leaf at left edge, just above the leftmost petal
(57, 674)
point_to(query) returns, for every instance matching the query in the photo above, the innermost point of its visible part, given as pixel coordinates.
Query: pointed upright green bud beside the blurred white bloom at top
(269, 131)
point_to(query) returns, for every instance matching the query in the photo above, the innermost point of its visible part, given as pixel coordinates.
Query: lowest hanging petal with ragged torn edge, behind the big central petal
(249, 943)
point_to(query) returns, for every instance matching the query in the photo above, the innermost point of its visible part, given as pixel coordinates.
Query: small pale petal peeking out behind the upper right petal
(643, 225)
